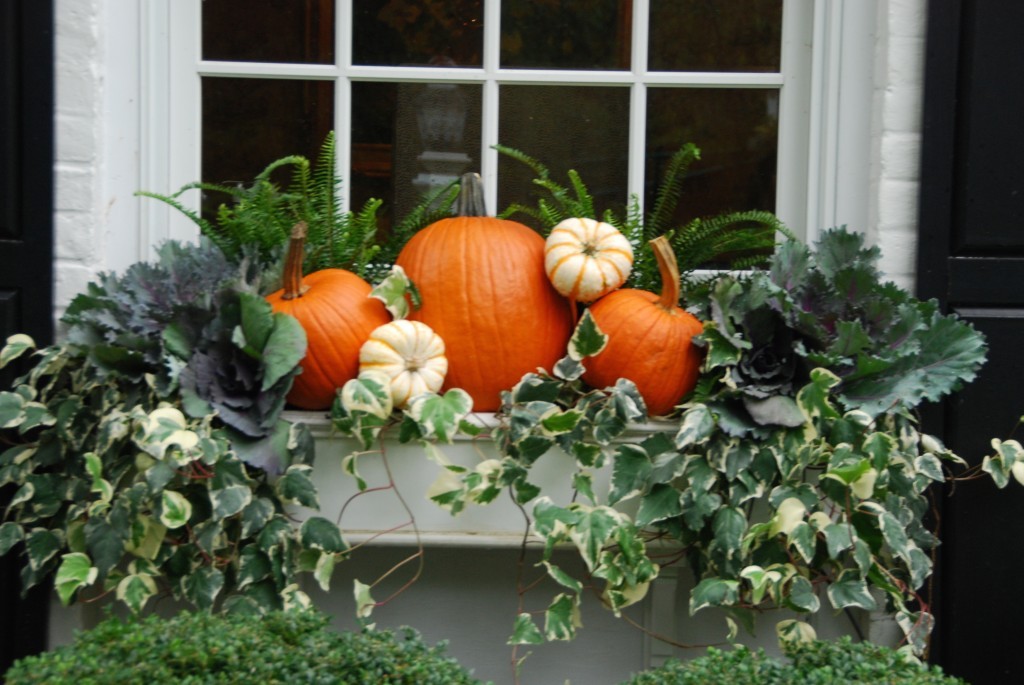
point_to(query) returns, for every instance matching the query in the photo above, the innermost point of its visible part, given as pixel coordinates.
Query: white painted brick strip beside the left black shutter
(78, 167)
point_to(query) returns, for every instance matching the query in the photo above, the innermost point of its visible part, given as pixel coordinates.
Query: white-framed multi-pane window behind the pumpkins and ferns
(420, 92)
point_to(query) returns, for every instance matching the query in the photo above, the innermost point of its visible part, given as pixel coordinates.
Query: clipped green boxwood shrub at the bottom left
(278, 649)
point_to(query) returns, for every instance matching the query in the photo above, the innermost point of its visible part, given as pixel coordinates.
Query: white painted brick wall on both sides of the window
(80, 164)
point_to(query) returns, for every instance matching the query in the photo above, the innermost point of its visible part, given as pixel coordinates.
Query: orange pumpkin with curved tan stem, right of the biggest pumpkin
(650, 339)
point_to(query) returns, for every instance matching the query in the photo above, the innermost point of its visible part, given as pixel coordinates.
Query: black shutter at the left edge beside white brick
(26, 248)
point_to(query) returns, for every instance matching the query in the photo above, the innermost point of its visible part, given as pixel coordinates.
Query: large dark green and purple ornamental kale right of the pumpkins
(829, 309)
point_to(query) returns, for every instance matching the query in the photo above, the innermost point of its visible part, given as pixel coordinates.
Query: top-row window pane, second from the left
(448, 33)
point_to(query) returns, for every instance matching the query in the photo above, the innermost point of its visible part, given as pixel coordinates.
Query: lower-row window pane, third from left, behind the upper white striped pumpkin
(566, 127)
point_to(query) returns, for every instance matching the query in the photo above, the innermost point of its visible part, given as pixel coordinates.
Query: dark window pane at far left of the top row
(287, 31)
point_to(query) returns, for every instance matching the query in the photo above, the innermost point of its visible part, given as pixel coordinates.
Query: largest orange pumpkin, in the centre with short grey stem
(486, 293)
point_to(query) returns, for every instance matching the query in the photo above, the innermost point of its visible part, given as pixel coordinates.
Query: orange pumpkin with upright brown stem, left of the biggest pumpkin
(338, 316)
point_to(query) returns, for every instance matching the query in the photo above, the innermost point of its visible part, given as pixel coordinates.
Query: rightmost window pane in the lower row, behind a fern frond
(738, 134)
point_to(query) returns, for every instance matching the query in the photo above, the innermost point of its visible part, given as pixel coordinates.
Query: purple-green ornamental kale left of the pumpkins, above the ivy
(196, 325)
